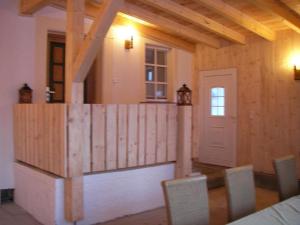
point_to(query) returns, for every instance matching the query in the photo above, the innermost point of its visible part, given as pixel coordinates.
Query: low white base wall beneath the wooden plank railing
(106, 195)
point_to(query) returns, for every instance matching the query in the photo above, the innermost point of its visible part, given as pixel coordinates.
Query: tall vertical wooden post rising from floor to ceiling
(74, 94)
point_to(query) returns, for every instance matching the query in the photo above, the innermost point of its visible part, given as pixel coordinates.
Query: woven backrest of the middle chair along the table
(240, 189)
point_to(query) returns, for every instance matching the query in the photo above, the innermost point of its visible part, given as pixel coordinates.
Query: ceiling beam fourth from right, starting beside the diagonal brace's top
(170, 25)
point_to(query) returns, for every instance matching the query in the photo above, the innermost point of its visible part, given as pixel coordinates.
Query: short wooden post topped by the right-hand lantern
(184, 142)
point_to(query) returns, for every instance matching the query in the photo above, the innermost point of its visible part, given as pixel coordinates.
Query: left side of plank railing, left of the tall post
(40, 136)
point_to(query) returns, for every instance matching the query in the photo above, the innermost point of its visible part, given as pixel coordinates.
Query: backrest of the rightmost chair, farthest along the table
(285, 170)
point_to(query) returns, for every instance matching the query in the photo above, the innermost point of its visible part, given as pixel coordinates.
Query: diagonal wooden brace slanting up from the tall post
(90, 46)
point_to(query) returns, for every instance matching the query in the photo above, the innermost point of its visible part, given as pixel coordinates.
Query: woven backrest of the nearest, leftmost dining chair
(187, 201)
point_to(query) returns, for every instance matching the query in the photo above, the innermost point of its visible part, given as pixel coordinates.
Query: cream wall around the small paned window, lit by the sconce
(122, 79)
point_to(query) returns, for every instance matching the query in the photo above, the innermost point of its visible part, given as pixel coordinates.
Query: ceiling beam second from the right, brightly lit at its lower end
(239, 18)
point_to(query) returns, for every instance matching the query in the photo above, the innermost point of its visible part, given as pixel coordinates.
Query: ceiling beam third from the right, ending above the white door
(197, 19)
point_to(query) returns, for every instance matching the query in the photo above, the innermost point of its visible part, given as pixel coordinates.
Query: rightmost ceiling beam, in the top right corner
(291, 19)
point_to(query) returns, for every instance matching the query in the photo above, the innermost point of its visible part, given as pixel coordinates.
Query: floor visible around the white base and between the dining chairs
(10, 214)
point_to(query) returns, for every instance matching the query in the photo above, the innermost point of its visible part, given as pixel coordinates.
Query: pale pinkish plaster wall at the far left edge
(17, 59)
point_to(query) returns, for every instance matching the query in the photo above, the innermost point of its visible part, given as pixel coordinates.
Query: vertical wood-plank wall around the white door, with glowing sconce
(268, 98)
